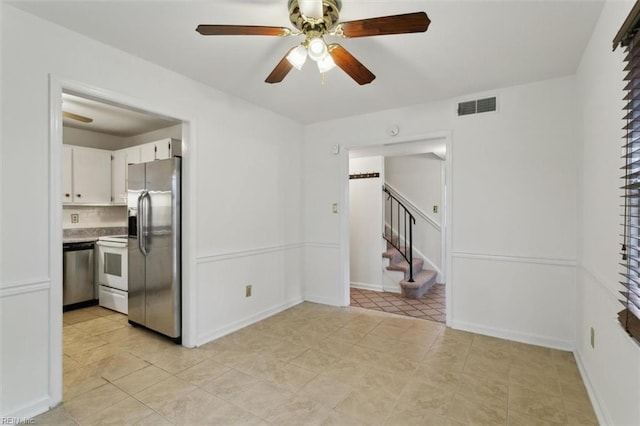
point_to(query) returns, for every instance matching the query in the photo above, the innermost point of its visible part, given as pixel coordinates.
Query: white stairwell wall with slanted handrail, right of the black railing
(418, 178)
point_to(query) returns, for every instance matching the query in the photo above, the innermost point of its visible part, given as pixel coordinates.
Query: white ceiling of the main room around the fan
(471, 46)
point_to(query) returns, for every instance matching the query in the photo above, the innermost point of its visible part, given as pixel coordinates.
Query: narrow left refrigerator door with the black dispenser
(136, 261)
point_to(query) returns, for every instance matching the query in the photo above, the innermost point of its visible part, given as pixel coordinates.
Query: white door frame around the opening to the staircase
(379, 148)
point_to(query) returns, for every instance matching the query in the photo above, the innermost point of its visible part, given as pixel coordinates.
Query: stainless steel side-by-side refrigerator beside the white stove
(154, 246)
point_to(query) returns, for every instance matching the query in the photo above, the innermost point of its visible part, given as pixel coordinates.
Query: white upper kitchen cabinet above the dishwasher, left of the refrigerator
(89, 171)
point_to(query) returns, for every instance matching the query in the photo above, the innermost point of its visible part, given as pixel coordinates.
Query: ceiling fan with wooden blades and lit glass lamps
(316, 18)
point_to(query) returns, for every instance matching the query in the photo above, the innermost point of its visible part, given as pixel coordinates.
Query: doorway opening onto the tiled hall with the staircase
(379, 290)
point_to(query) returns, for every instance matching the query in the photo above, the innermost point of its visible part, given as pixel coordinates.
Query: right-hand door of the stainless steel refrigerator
(163, 280)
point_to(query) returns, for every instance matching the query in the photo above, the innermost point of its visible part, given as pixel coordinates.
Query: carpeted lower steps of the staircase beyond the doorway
(423, 279)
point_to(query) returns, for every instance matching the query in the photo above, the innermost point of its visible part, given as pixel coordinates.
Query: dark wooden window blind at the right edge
(629, 37)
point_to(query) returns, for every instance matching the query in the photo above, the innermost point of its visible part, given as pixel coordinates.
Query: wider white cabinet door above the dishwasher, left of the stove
(91, 176)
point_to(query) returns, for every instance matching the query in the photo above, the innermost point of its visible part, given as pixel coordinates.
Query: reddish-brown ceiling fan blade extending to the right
(417, 22)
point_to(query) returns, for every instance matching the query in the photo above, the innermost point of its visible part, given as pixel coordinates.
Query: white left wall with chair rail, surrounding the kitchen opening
(242, 201)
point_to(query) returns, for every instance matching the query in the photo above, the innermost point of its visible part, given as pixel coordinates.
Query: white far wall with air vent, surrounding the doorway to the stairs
(514, 207)
